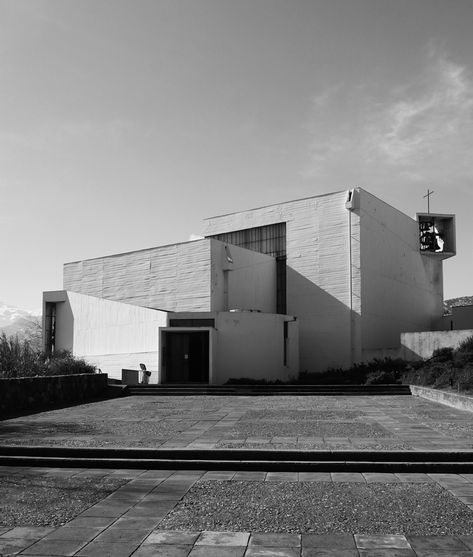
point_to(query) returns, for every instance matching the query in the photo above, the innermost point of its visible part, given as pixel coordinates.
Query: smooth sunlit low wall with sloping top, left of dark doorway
(109, 335)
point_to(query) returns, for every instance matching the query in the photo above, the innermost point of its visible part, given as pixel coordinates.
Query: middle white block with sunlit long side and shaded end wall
(181, 277)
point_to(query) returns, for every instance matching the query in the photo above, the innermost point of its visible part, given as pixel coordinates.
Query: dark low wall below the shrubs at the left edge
(41, 392)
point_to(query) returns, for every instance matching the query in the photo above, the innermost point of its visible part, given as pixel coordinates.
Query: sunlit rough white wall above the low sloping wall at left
(172, 278)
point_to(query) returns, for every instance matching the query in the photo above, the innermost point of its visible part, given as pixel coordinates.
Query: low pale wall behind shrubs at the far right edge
(416, 346)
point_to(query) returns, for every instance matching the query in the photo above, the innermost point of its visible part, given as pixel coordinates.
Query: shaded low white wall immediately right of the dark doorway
(250, 345)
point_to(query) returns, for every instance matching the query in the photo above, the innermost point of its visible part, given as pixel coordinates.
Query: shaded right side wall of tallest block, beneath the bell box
(401, 290)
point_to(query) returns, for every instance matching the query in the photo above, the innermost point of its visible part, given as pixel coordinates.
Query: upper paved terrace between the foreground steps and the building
(319, 423)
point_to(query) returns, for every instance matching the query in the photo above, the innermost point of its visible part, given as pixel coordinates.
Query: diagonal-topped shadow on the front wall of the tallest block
(329, 331)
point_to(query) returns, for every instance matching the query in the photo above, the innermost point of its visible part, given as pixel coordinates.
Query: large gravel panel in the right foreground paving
(377, 508)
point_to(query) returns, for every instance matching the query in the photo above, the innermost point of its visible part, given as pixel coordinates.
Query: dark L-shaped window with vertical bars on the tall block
(270, 240)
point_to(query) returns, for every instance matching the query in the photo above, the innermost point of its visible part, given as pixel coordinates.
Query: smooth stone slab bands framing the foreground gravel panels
(124, 535)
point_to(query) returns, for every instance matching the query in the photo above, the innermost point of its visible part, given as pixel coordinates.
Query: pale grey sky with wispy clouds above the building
(123, 124)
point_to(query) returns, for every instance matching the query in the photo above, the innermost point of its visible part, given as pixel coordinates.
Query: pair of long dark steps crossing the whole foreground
(455, 462)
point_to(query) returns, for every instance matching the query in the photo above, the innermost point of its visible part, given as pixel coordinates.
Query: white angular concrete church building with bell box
(315, 283)
